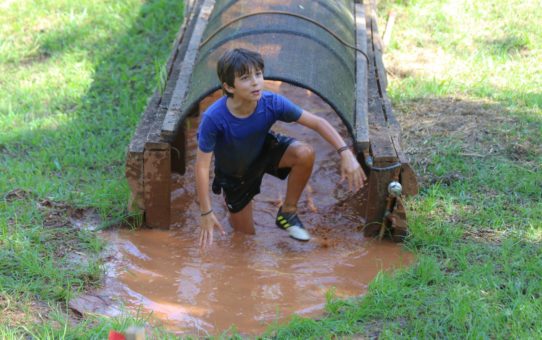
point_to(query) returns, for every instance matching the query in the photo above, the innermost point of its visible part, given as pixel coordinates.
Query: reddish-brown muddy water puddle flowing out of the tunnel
(251, 281)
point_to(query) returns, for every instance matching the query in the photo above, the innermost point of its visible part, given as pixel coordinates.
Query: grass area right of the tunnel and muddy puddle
(476, 226)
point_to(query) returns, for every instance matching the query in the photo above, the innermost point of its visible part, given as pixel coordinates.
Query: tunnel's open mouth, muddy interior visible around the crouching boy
(324, 185)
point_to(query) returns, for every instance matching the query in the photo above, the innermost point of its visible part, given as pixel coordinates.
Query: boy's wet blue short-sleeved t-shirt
(237, 142)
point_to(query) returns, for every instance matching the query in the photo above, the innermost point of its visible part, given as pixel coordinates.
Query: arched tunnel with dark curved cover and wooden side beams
(355, 89)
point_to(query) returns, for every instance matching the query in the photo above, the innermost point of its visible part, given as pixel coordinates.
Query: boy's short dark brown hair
(237, 62)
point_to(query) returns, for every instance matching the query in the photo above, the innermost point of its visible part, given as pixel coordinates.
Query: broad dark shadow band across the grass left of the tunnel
(81, 159)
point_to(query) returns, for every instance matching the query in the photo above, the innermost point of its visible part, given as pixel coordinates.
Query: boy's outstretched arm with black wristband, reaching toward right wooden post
(350, 167)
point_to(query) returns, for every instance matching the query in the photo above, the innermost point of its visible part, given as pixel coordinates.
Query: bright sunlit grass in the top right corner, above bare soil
(483, 50)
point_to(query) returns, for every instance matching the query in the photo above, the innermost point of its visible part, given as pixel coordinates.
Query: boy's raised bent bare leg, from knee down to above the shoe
(300, 158)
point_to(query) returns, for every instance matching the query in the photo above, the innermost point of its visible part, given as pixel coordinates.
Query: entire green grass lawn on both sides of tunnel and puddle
(465, 79)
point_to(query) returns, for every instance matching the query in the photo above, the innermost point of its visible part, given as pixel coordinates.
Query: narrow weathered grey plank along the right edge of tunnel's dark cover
(361, 122)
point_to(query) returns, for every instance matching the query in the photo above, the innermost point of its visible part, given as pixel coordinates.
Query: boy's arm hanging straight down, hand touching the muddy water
(208, 219)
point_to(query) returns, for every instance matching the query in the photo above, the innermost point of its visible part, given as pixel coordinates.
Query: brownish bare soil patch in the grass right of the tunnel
(477, 128)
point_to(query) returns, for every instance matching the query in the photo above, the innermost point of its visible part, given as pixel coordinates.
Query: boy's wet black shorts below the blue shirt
(239, 191)
